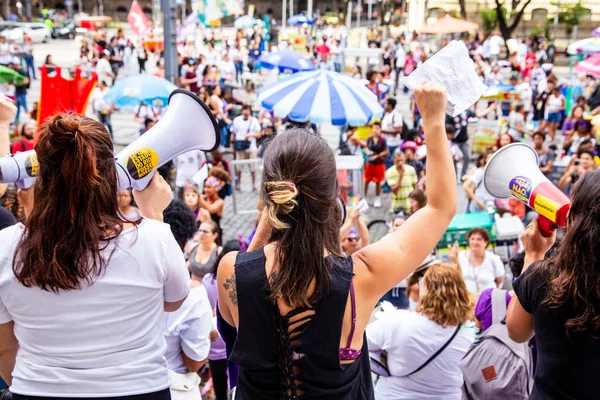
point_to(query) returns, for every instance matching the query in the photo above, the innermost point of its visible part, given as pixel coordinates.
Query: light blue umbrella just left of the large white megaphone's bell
(132, 91)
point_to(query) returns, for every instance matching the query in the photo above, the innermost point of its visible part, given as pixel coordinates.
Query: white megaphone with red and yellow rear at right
(513, 171)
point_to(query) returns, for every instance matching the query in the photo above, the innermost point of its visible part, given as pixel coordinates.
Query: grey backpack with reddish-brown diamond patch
(495, 367)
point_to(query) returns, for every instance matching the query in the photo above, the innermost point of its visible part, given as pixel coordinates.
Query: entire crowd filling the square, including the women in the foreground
(308, 303)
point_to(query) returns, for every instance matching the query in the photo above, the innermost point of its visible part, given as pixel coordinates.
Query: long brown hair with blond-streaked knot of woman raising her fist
(300, 196)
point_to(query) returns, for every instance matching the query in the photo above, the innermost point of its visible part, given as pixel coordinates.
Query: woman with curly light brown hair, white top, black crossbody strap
(424, 348)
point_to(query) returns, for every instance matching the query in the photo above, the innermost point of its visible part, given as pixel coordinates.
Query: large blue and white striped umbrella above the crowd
(321, 97)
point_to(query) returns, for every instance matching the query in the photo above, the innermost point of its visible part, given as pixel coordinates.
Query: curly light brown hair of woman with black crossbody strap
(447, 301)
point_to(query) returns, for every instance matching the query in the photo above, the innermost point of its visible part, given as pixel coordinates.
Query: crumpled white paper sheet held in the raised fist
(453, 68)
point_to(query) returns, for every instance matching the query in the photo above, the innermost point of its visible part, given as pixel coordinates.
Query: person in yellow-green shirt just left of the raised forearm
(402, 179)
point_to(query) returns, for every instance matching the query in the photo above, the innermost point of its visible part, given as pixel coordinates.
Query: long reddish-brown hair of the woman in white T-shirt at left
(75, 213)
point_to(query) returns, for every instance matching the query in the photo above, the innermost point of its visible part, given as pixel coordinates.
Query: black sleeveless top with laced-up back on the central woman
(268, 353)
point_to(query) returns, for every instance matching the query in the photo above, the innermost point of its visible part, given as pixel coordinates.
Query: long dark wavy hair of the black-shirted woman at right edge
(574, 274)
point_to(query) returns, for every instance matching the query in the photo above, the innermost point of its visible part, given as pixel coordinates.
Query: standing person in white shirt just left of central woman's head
(245, 129)
